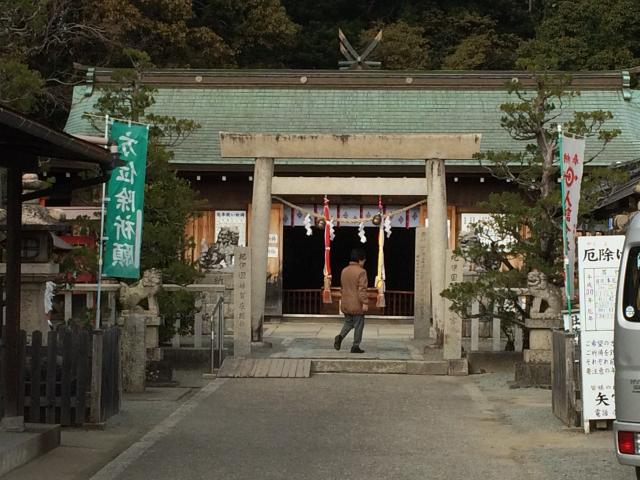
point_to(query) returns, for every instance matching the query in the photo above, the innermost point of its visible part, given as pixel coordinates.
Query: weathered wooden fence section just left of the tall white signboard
(564, 379)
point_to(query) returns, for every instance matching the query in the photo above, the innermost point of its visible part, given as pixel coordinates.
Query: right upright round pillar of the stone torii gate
(438, 241)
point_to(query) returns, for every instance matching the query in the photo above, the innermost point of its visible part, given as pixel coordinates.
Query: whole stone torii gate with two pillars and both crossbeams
(434, 149)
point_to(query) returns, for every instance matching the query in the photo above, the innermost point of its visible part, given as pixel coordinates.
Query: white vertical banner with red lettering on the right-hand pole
(572, 159)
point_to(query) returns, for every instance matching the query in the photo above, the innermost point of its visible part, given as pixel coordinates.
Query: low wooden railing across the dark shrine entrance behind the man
(309, 302)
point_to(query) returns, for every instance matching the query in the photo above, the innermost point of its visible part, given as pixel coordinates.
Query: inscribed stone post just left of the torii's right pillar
(422, 294)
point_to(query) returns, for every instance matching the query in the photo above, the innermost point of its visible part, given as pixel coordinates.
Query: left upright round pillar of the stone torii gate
(260, 216)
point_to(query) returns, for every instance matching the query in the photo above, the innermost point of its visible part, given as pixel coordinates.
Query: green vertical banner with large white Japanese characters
(123, 232)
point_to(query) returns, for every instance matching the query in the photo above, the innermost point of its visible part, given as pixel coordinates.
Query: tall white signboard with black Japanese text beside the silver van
(598, 266)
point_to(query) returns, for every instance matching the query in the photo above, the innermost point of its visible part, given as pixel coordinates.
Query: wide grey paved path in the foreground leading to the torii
(366, 427)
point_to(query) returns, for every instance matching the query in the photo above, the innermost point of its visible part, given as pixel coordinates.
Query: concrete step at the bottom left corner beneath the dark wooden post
(17, 449)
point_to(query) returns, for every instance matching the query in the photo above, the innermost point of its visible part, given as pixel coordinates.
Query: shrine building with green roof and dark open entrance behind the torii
(342, 103)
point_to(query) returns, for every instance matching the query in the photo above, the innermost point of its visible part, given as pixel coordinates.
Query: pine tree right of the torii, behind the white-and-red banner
(532, 216)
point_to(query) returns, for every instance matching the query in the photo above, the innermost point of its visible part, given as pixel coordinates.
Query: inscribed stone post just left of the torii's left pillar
(242, 303)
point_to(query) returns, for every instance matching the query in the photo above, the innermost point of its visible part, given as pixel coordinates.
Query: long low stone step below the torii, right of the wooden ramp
(407, 367)
